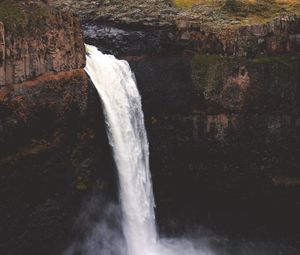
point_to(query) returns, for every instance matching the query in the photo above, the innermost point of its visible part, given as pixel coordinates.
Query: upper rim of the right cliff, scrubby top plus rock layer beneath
(266, 28)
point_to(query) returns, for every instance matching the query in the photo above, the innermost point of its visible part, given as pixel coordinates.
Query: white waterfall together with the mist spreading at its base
(121, 101)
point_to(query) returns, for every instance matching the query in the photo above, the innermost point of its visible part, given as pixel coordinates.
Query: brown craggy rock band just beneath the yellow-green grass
(281, 36)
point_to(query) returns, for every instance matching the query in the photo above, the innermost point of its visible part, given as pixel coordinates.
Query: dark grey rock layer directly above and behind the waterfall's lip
(121, 40)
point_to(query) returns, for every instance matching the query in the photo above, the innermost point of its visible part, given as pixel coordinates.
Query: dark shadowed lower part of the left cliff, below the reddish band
(53, 160)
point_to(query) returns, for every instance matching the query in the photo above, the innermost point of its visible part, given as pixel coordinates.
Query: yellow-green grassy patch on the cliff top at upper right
(236, 12)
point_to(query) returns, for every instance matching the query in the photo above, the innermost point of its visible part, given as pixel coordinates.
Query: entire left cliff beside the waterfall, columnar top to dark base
(52, 149)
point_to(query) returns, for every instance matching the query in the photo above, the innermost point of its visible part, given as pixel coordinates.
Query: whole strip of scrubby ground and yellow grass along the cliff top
(218, 13)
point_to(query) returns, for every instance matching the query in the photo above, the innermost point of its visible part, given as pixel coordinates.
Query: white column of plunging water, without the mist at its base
(121, 101)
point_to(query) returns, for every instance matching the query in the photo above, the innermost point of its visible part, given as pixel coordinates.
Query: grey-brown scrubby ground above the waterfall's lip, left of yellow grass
(142, 12)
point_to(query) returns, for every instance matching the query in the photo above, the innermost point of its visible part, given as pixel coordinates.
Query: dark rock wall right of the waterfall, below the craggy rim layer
(222, 131)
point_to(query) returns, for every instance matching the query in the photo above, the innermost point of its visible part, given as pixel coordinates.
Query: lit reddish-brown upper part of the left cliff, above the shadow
(41, 66)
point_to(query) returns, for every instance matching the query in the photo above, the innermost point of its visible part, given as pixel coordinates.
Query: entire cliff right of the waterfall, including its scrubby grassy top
(220, 90)
